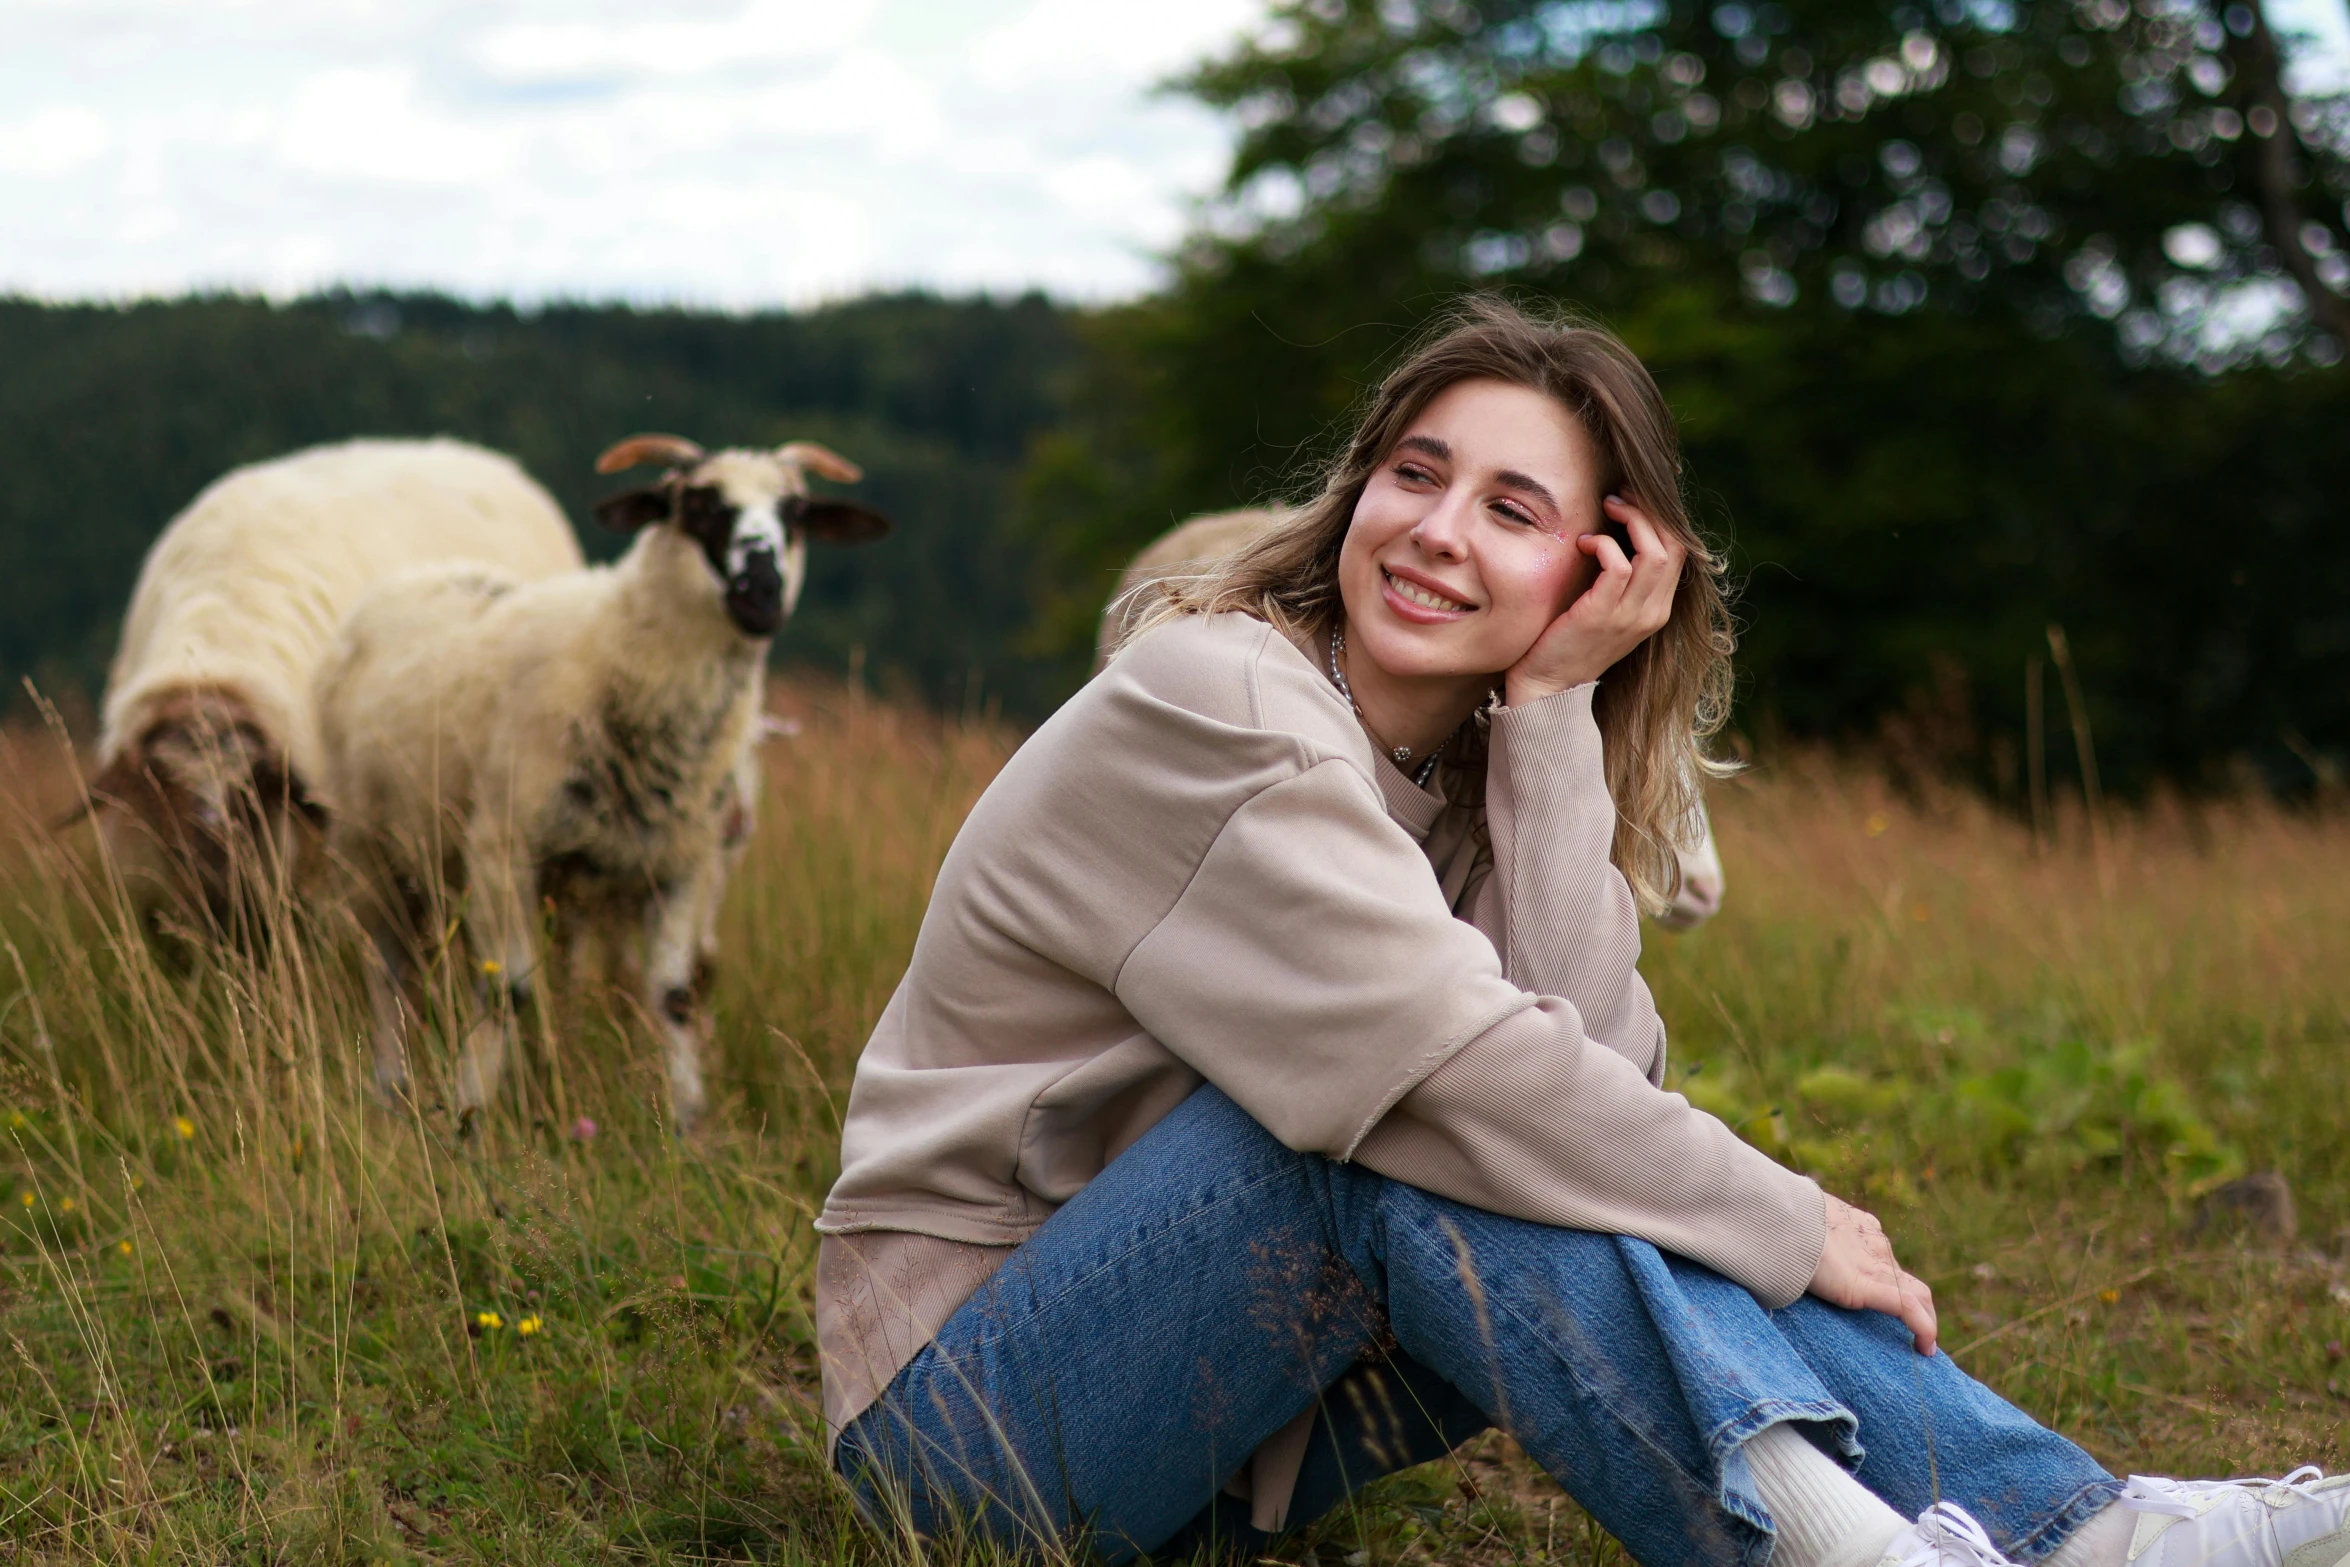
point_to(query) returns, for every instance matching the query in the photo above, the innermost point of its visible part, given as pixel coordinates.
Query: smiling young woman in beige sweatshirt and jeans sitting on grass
(1273, 1101)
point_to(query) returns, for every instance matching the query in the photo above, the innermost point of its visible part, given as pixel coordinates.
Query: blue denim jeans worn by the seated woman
(1211, 1286)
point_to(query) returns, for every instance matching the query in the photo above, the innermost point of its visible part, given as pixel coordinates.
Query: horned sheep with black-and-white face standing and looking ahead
(589, 734)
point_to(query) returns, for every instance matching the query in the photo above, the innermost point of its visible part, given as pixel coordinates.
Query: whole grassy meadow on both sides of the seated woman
(253, 1319)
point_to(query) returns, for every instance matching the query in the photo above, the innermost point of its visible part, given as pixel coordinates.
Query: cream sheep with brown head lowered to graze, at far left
(210, 753)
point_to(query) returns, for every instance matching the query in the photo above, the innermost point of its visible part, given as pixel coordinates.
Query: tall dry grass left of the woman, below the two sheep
(255, 1317)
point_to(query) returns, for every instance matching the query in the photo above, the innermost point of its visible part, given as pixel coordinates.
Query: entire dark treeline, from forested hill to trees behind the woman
(1980, 316)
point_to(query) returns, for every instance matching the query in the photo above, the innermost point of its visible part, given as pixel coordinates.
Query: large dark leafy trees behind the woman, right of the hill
(1975, 318)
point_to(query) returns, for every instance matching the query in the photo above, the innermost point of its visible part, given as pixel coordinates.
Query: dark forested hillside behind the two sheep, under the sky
(112, 419)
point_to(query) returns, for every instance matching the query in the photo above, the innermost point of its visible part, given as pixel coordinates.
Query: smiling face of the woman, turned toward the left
(1463, 546)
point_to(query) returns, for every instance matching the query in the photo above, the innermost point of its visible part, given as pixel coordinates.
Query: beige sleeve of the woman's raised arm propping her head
(1555, 906)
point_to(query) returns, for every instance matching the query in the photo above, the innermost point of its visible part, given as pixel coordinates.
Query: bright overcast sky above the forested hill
(704, 152)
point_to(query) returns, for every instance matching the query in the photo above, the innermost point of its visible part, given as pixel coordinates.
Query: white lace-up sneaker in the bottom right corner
(2299, 1521)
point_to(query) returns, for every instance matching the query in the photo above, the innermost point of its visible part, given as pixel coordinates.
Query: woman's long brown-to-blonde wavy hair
(1658, 704)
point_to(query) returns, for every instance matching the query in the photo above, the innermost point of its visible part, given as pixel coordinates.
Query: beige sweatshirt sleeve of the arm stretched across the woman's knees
(1312, 971)
